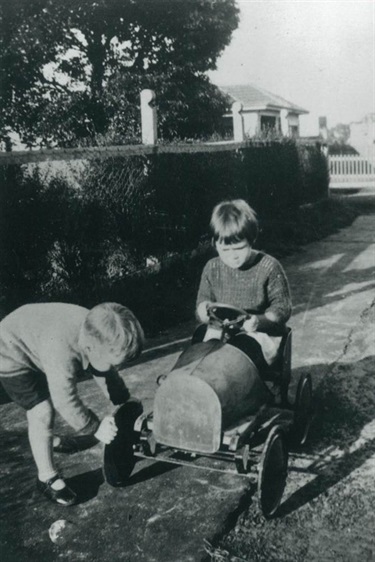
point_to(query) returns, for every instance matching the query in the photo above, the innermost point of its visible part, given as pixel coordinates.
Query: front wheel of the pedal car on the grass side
(273, 471)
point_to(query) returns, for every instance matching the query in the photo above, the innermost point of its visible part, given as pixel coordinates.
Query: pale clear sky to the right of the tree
(319, 54)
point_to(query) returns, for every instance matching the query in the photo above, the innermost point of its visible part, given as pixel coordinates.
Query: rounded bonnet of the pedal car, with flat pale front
(212, 385)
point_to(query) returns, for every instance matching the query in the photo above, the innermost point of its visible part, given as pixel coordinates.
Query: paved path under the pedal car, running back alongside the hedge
(166, 514)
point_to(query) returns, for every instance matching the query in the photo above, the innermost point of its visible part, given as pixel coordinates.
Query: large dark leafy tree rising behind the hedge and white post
(76, 57)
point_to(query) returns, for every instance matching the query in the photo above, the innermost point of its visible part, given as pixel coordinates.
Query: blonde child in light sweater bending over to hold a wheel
(44, 348)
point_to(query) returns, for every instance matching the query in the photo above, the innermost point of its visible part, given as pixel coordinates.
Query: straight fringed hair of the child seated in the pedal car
(233, 221)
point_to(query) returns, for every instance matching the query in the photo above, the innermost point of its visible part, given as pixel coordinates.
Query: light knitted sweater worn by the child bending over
(44, 337)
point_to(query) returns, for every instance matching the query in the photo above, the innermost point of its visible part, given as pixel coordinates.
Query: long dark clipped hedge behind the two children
(89, 242)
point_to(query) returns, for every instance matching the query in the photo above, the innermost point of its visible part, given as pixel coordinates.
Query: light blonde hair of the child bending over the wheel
(115, 327)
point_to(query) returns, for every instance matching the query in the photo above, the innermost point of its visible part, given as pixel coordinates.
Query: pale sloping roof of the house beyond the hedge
(255, 98)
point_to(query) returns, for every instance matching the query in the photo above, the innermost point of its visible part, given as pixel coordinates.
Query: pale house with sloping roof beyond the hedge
(264, 111)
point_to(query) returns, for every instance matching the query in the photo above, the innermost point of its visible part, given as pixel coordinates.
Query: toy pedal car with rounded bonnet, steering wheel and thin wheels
(214, 403)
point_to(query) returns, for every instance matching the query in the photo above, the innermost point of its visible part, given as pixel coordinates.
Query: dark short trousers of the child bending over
(26, 390)
